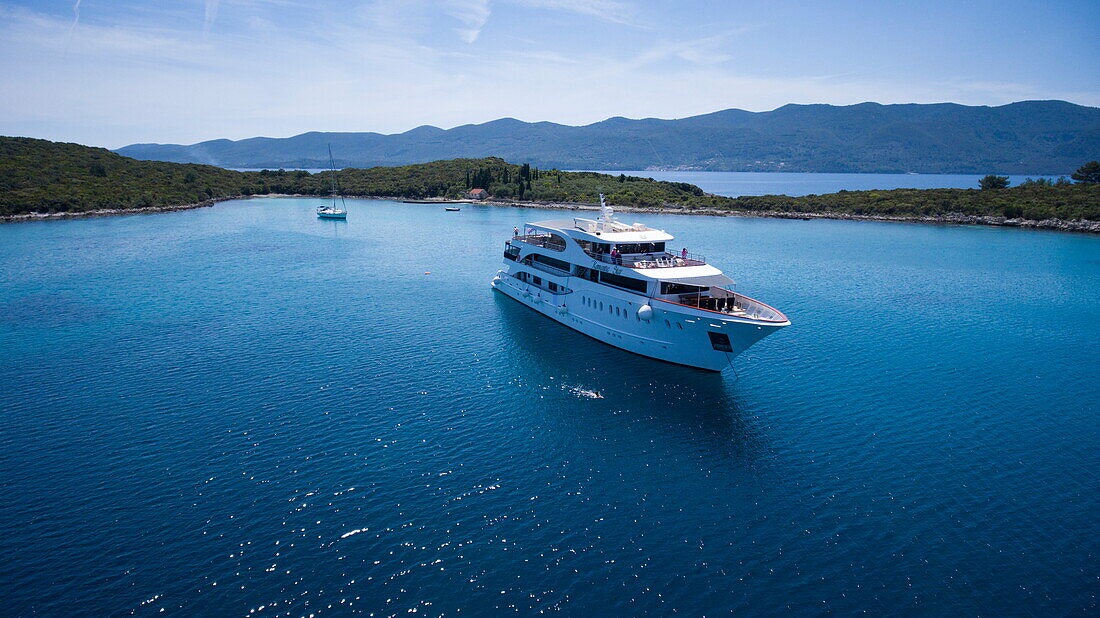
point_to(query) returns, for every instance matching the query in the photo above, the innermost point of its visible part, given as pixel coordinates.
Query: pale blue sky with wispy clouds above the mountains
(112, 73)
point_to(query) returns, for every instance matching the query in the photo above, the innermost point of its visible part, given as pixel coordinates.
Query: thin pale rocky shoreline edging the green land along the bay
(949, 219)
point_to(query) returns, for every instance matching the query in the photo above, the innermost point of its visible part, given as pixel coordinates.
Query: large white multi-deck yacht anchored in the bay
(622, 285)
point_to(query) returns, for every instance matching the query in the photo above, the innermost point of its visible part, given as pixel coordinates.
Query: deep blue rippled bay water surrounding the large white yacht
(245, 409)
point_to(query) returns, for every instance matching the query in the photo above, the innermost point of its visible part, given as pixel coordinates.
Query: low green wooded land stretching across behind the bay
(39, 178)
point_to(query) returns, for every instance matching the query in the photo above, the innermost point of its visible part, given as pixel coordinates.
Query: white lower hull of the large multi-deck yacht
(673, 334)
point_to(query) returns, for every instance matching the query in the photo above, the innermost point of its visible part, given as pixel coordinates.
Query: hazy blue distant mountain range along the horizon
(1024, 138)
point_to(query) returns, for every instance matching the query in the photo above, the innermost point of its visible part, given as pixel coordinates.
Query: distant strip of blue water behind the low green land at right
(735, 184)
